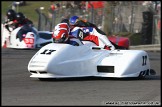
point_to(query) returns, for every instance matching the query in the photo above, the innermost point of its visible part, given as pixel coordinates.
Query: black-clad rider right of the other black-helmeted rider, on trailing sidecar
(21, 20)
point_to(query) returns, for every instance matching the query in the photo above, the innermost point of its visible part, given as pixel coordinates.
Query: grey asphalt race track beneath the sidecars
(18, 89)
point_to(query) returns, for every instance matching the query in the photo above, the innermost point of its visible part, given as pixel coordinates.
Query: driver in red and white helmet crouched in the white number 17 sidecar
(61, 35)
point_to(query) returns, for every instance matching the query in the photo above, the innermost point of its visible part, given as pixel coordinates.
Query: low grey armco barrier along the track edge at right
(153, 47)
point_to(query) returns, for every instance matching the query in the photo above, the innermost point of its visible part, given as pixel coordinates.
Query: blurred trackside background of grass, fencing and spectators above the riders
(140, 21)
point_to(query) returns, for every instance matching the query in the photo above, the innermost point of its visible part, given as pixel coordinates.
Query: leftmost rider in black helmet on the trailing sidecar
(11, 19)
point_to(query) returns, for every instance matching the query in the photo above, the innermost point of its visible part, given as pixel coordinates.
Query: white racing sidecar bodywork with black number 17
(56, 60)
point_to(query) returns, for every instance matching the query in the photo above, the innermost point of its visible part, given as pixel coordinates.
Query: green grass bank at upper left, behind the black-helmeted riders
(28, 10)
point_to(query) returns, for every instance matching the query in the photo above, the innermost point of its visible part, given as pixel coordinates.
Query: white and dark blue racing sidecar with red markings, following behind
(24, 37)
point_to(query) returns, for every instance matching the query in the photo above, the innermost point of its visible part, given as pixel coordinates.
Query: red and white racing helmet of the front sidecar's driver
(61, 33)
